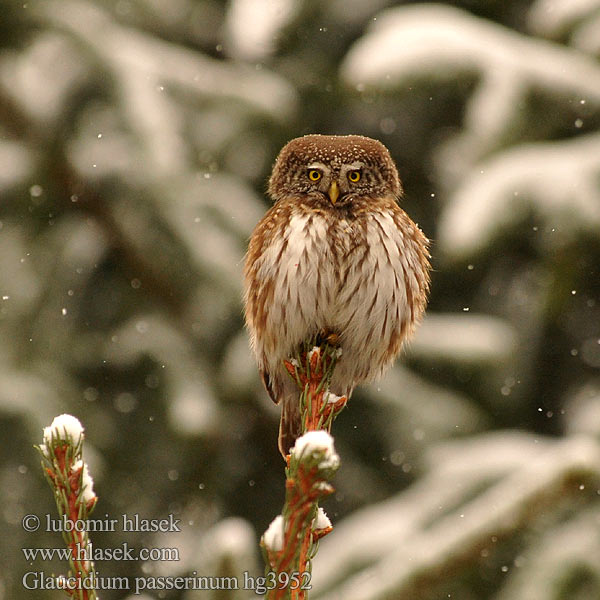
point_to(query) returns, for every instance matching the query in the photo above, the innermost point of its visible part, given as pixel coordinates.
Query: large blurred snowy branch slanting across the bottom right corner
(418, 540)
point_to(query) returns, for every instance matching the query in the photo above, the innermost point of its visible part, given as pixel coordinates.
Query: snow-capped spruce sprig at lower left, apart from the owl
(73, 487)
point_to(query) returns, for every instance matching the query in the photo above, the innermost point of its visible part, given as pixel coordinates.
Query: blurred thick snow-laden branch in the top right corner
(443, 41)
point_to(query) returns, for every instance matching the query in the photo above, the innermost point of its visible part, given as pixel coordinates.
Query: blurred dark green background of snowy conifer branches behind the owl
(136, 138)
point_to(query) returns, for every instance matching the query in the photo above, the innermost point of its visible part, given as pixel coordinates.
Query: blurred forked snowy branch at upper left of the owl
(150, 76)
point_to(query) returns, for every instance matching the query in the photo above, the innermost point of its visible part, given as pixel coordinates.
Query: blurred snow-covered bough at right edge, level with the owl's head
(557, 182)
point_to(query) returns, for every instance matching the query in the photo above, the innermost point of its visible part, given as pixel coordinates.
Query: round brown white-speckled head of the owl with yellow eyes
(334, 169)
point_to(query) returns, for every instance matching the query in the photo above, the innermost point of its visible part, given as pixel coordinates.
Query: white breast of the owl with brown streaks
(354, 276)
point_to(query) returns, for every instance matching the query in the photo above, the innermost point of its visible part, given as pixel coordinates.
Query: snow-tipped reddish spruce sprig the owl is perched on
(291, 541)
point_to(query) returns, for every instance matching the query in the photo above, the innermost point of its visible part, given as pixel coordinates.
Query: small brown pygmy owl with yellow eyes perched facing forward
(335, 253)
